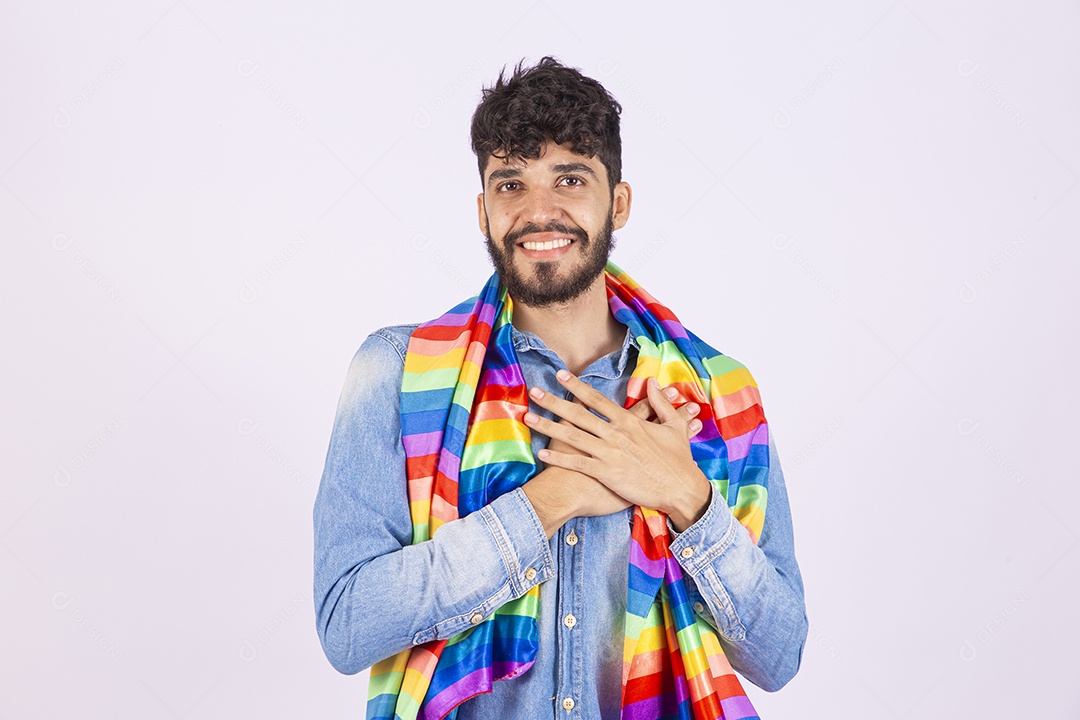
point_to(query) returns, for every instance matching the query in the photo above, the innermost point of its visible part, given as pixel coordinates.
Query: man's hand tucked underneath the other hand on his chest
(558, 494)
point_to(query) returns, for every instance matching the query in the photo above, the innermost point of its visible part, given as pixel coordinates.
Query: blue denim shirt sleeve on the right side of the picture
(751, 594)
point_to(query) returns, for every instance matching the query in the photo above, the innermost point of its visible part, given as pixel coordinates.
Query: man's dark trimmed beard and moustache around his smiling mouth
(545, 288)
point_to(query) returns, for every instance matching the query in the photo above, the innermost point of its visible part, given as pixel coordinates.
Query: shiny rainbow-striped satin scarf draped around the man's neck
(463, 403)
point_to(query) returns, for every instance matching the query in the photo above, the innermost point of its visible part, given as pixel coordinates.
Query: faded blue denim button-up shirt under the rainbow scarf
(376, 594)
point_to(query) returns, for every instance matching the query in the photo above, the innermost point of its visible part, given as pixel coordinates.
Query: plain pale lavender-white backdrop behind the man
(208, 207)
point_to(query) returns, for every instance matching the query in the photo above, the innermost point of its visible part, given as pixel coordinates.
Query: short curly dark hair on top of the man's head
(548, 102)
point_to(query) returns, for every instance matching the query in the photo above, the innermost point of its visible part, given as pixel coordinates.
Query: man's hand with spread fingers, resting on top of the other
(646, 464)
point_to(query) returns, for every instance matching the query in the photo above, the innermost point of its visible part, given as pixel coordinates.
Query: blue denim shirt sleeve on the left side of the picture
(376, 594)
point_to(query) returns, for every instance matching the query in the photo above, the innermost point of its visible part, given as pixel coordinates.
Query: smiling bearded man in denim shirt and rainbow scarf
(493, 582)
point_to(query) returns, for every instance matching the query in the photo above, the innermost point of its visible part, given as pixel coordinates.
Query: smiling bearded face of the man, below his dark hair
(549, 223)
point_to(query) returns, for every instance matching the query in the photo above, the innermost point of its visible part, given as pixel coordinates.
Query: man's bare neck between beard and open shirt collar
(579, 332)
